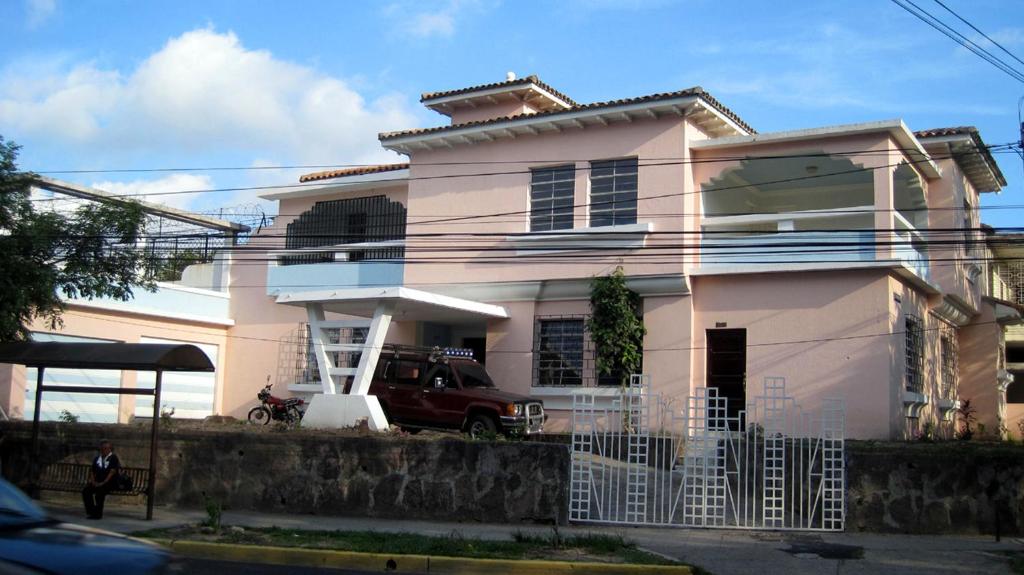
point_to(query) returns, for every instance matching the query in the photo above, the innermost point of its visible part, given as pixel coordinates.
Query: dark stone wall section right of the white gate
(952, 488)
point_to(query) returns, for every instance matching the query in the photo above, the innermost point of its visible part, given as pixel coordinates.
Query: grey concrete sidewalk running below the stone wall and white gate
(720, 552)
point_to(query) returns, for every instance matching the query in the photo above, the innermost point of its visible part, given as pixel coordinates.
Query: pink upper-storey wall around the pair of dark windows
(483, 196)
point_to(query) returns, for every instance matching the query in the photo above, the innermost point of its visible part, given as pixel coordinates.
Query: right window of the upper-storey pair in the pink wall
(614, 193)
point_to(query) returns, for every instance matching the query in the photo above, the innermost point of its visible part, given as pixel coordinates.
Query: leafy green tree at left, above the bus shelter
(90, 253)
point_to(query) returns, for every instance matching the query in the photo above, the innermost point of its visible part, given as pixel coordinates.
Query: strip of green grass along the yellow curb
(606, 549)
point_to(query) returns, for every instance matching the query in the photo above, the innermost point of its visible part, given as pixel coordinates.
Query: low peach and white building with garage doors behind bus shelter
(192, 305)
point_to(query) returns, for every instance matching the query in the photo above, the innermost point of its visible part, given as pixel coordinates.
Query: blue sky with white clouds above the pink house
(104, 84)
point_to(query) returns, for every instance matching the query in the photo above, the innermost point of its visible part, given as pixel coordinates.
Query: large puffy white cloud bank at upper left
(202, 93)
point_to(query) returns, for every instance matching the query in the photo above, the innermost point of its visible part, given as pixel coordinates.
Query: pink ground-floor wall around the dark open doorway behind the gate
(816, 319)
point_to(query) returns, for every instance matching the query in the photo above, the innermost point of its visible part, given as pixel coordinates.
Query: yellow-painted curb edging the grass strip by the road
(405, 563)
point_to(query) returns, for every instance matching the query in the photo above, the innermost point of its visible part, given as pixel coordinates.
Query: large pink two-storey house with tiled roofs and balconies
(845, 259)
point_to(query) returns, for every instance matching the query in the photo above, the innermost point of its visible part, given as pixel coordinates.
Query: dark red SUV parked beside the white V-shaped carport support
(448, 389)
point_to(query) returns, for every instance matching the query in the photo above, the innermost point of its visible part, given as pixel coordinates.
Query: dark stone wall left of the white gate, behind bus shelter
(447, 479)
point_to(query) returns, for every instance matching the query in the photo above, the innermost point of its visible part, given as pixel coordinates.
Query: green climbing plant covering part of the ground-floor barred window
(616, 327)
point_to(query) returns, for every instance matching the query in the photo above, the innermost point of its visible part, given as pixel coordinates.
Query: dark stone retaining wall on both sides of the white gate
(954, 488)
